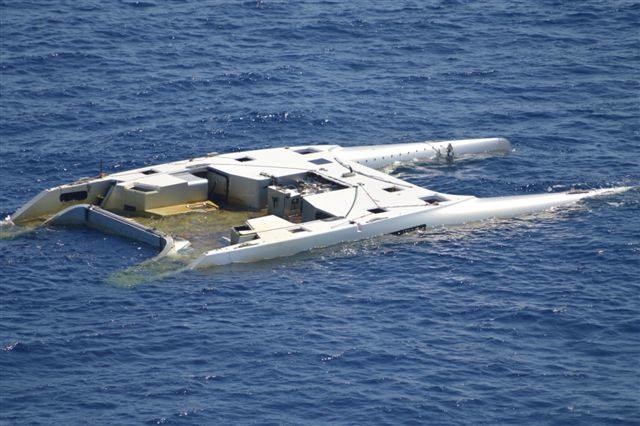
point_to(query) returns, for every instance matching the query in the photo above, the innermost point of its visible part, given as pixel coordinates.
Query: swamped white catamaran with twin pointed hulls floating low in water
(310, 196)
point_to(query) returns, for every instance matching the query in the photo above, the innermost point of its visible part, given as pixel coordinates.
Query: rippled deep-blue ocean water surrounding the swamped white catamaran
(533, 320)
